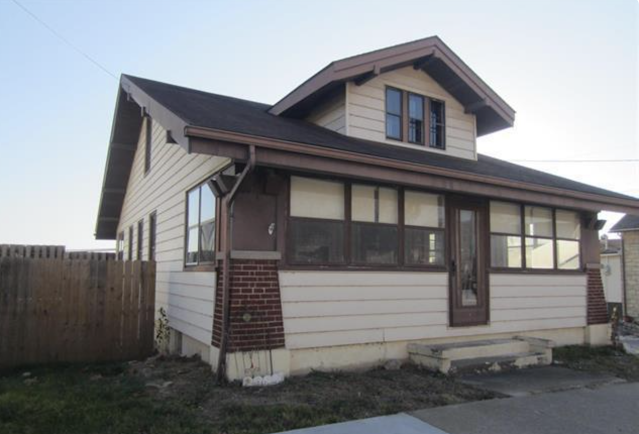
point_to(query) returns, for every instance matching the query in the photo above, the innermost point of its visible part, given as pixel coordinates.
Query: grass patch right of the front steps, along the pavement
(599, 359)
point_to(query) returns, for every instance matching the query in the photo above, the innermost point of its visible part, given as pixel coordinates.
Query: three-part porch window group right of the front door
(550, 237)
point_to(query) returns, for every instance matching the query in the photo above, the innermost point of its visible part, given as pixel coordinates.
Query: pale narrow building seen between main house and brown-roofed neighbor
(611, 274)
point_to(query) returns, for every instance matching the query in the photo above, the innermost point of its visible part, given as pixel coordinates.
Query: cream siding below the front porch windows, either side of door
(327, 308)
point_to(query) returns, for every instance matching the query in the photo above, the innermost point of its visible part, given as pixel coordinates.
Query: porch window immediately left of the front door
(424, 220)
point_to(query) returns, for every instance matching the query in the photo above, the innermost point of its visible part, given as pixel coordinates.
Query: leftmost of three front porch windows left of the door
(316, 228)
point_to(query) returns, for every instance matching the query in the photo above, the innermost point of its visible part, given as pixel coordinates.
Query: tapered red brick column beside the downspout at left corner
(256, 308)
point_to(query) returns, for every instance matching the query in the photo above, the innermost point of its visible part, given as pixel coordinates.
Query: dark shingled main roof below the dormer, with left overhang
(180, 110)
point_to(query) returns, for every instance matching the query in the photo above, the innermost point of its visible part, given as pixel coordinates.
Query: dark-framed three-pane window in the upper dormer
(421, 121)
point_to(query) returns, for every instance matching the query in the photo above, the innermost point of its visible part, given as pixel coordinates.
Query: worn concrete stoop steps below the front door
(485, 355)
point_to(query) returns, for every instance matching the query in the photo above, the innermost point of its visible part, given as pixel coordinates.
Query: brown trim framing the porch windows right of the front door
(524, 269)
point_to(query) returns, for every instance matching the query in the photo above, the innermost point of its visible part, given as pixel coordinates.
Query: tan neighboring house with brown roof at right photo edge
(628, 228)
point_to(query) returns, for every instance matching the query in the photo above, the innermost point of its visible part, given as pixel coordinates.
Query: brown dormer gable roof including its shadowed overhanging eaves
(430, 55)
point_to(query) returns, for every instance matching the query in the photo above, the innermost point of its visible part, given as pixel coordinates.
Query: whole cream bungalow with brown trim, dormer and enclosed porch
(349, 220)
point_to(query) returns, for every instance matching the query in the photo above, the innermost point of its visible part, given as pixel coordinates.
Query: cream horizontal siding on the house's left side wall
(187, 296)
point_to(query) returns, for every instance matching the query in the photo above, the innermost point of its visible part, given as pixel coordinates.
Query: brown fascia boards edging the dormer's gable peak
(383, 60)
